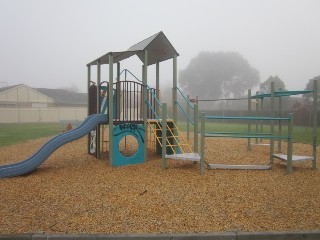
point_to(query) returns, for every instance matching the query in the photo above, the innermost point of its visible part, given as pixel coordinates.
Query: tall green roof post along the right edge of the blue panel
(145, 98)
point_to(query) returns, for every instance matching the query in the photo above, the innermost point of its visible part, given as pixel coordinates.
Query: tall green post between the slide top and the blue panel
(110, 108)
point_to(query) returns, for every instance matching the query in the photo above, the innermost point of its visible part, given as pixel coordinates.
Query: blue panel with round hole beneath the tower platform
(119, 132)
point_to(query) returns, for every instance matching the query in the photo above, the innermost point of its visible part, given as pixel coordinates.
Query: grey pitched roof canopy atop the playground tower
(158, 46)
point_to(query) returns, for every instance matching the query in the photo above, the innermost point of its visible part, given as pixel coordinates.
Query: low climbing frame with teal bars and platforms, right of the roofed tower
(272, 135)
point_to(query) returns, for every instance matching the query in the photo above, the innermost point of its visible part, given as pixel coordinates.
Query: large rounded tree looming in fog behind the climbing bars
(218, 75)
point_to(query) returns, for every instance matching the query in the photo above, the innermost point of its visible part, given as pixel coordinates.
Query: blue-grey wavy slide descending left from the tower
(30, 164)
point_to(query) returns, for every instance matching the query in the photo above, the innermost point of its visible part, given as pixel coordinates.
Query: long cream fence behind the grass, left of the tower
(24, 115)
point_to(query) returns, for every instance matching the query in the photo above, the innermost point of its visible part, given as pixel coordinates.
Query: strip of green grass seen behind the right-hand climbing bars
(300, 134)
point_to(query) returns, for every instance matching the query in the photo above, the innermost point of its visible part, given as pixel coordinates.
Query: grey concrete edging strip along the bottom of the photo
(233, 235)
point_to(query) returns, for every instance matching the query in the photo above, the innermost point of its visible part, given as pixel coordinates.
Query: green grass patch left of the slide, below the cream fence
(13, 133)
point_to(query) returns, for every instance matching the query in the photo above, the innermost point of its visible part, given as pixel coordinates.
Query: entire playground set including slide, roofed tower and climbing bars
(130, 108)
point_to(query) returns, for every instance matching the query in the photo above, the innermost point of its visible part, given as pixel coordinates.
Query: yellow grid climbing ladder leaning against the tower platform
(175, 140)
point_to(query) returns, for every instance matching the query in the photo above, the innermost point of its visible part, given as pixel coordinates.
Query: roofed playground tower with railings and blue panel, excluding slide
(136, 109)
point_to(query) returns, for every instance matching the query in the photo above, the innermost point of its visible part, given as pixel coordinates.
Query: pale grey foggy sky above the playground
(47, 43)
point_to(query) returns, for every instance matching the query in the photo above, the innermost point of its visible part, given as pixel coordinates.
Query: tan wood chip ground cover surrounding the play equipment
(72, 192)
